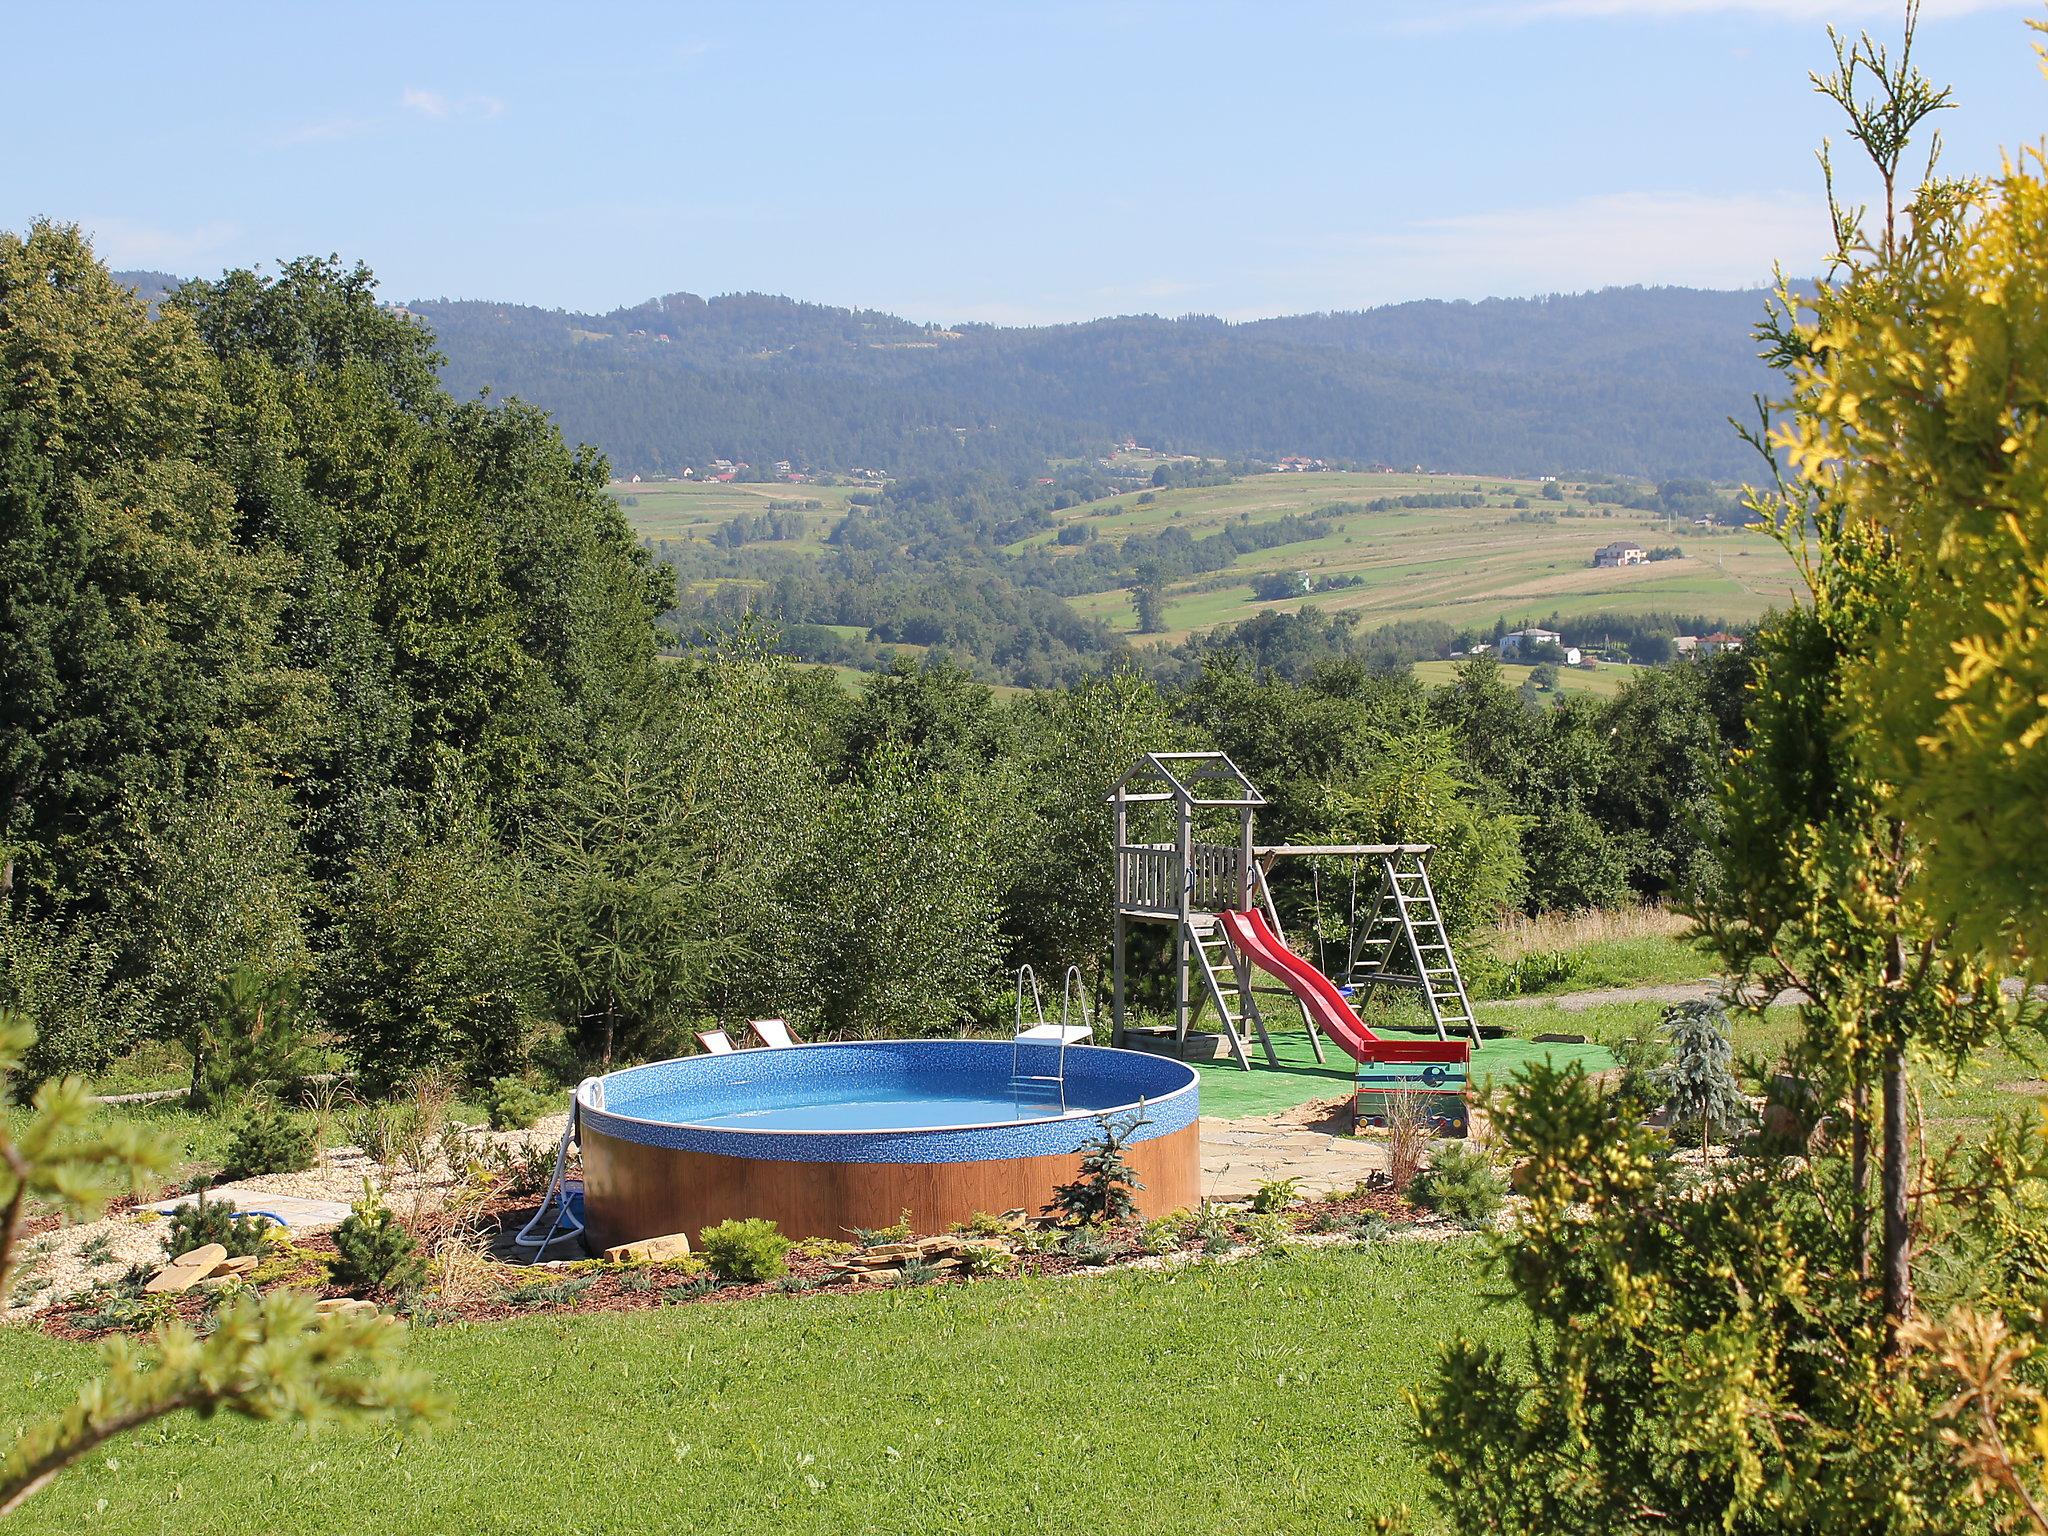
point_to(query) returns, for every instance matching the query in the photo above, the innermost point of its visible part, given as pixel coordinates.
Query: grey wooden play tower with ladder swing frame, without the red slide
(1211, 863)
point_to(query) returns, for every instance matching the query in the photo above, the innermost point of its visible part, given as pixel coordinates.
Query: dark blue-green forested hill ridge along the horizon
(1621, 382)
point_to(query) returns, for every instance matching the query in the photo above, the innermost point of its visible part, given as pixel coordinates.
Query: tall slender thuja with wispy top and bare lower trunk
(1826, 890)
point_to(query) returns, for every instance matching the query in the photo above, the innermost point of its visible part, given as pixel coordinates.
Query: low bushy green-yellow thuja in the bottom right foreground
(1701, 1353)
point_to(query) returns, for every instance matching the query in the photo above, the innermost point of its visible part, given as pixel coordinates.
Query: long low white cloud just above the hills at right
(1619, 239)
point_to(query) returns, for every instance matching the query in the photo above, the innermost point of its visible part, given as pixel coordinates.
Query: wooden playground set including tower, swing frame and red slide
(1218, 898)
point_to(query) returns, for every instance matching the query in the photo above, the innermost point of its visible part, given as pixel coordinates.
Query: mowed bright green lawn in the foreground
(1250, 1398)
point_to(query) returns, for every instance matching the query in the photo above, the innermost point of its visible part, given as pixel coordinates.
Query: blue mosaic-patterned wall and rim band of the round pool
(1101, 1080)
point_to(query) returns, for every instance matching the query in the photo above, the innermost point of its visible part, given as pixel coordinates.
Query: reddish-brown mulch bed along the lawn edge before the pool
(591, 1287)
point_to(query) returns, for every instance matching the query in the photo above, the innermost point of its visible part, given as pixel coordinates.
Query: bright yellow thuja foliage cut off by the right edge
(1918, 417)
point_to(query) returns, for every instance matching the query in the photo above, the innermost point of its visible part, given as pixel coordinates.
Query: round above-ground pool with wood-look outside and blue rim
(830, 1138)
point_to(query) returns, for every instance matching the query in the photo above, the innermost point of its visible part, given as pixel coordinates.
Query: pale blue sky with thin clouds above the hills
(970, 161)
